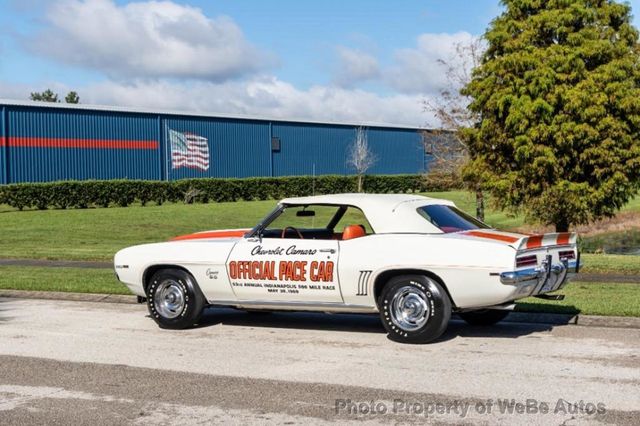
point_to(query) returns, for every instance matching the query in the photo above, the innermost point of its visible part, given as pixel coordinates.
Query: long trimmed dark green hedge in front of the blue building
(83, 194)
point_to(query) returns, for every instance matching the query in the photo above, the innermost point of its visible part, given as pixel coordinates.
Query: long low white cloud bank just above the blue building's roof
(264, 96)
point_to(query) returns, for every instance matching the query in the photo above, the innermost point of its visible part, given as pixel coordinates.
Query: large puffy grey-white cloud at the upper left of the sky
(147, 40)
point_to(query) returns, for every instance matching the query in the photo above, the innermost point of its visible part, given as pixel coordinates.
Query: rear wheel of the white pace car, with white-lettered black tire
(432, 308)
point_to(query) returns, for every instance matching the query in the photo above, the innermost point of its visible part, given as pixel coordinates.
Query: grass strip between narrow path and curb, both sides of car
(590, 299)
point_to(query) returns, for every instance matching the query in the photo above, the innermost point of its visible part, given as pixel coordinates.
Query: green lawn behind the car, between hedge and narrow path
(96, 234)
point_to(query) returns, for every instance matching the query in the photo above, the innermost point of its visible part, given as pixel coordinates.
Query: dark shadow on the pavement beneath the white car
(361, 323)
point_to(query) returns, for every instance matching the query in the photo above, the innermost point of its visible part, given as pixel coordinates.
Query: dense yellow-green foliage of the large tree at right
(558, 92)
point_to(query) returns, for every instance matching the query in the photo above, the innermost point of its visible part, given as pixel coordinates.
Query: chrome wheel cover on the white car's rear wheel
(410, 308)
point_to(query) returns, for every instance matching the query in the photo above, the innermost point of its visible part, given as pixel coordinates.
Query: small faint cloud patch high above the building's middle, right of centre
(355, 66)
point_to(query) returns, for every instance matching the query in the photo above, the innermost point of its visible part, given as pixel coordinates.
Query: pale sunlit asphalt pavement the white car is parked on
(79, 362)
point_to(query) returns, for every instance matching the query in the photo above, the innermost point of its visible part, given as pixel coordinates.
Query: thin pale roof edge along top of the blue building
(107, 108)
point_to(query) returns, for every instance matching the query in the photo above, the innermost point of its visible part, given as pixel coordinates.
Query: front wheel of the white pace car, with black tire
(189, 301)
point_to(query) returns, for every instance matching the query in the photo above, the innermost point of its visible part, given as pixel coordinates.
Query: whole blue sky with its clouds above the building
(368, 61)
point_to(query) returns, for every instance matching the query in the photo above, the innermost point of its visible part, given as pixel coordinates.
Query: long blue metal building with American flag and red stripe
(41, 142)
